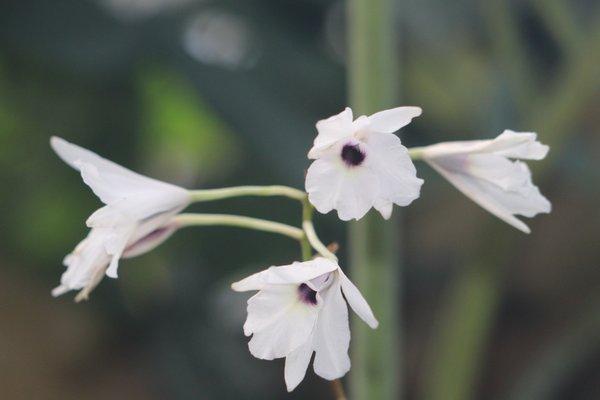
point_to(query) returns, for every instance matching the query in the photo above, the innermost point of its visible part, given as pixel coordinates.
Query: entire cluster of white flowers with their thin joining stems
(358, 164)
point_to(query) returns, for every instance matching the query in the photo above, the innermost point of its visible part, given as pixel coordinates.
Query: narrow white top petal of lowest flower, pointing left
(296, 273)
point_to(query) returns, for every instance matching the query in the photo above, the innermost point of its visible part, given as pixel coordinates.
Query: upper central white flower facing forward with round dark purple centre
(361, 164)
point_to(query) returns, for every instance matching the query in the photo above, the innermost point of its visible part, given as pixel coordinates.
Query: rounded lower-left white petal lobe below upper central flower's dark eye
(350, 191)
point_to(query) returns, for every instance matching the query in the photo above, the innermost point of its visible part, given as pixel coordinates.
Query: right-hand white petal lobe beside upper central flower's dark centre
(389, 160)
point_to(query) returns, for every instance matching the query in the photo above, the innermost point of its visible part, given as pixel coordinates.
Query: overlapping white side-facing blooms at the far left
(136, 218)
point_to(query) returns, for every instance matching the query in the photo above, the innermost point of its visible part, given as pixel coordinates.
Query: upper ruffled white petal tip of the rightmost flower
(523, 145)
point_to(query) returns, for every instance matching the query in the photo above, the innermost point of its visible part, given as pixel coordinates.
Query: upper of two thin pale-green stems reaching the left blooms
(239, 191)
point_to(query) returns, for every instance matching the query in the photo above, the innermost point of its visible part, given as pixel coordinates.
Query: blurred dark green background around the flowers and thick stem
(217, 93)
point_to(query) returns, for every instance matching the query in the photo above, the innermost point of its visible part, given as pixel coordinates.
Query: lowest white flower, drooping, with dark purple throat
(298, 310)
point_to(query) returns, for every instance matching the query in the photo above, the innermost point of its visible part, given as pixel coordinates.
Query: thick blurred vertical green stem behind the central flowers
(374, 242)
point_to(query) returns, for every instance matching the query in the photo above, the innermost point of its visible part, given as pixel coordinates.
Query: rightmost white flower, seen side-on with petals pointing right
(483, 171)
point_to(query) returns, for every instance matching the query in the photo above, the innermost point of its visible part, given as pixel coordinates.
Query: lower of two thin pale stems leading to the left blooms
(239, 221)
